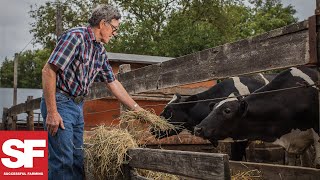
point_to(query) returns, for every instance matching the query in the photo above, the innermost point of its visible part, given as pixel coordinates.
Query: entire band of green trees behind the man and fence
(170, 27)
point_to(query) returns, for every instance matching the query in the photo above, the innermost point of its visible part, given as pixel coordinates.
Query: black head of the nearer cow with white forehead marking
(223, 121)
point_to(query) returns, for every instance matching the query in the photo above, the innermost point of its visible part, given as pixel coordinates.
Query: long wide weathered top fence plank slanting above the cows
(284, 47)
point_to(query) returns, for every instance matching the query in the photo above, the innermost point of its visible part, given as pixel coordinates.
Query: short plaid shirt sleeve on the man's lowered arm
(65, 51)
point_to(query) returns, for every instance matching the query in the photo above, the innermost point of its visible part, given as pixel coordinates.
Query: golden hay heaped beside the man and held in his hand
(107, 146)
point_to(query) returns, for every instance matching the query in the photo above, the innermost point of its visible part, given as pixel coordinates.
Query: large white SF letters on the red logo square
(23, 158)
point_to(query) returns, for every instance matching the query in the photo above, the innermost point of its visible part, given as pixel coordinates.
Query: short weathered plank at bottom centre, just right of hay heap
(184, 163)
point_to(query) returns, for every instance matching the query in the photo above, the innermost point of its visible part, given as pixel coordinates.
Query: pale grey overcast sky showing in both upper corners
(15, 23)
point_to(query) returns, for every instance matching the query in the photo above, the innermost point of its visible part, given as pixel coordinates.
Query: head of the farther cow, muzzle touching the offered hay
(176, 112)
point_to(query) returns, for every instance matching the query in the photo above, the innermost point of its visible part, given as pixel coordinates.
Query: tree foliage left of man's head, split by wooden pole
(74, 13)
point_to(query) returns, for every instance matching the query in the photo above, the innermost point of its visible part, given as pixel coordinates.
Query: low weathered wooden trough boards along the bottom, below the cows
(196, 165)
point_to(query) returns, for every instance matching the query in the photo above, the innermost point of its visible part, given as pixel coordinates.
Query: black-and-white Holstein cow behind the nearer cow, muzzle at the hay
(188, 115)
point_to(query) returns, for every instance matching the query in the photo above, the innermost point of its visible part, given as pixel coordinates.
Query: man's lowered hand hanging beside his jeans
(53, 122)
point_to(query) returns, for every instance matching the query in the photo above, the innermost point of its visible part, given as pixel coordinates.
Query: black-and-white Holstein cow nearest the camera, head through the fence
(289, 118)
